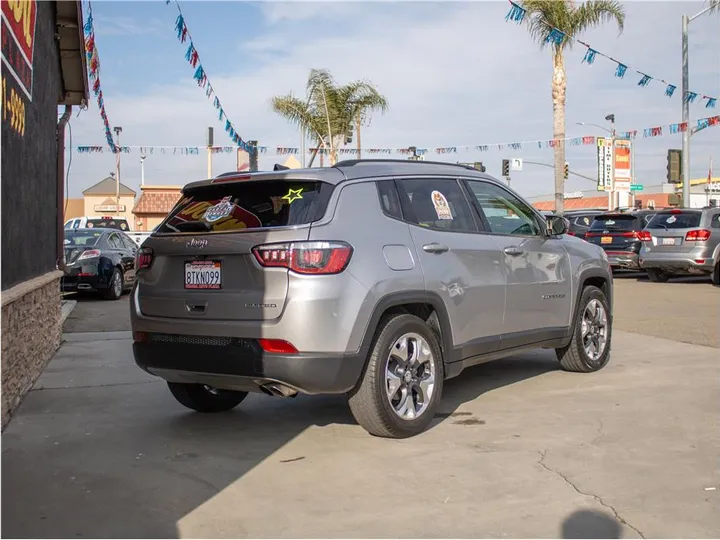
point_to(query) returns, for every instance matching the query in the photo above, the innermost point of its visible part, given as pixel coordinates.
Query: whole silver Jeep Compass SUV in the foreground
(378, 279)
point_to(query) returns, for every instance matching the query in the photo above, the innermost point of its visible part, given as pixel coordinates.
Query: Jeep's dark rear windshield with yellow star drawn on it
(248, 205)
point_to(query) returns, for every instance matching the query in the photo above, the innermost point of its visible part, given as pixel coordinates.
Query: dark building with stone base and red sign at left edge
(36, 79)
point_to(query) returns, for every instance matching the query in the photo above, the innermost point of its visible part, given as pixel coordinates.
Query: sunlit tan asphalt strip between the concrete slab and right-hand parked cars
(685, 309)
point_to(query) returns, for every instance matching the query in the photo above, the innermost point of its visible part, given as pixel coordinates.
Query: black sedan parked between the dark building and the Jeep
(99, 260)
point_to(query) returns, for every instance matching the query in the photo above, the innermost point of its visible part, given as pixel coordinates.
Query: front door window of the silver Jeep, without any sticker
(504, 212)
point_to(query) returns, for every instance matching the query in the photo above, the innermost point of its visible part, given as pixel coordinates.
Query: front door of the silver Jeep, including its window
(536, 267)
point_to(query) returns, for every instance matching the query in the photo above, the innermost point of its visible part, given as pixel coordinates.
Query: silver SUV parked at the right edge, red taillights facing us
(682, 242)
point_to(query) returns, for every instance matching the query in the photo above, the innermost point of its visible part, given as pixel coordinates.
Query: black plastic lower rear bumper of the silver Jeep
(241, 364)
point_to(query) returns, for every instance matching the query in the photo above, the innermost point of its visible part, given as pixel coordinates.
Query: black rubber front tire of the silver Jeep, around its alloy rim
(573, 356)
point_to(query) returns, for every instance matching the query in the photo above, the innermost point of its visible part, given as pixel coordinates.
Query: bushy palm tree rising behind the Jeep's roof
(327, 114)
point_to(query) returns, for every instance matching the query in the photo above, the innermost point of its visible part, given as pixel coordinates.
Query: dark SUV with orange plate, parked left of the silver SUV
(617, 234)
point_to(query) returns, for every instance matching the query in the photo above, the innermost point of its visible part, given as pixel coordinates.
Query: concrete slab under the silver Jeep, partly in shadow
(100, 449)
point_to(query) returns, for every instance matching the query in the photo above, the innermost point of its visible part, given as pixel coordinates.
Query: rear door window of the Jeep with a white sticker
(436, 203)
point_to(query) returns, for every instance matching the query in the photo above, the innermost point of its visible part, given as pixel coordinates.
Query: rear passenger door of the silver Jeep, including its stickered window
(464, 268)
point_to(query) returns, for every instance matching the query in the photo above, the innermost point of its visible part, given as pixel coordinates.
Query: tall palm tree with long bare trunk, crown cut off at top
(542, 16)
